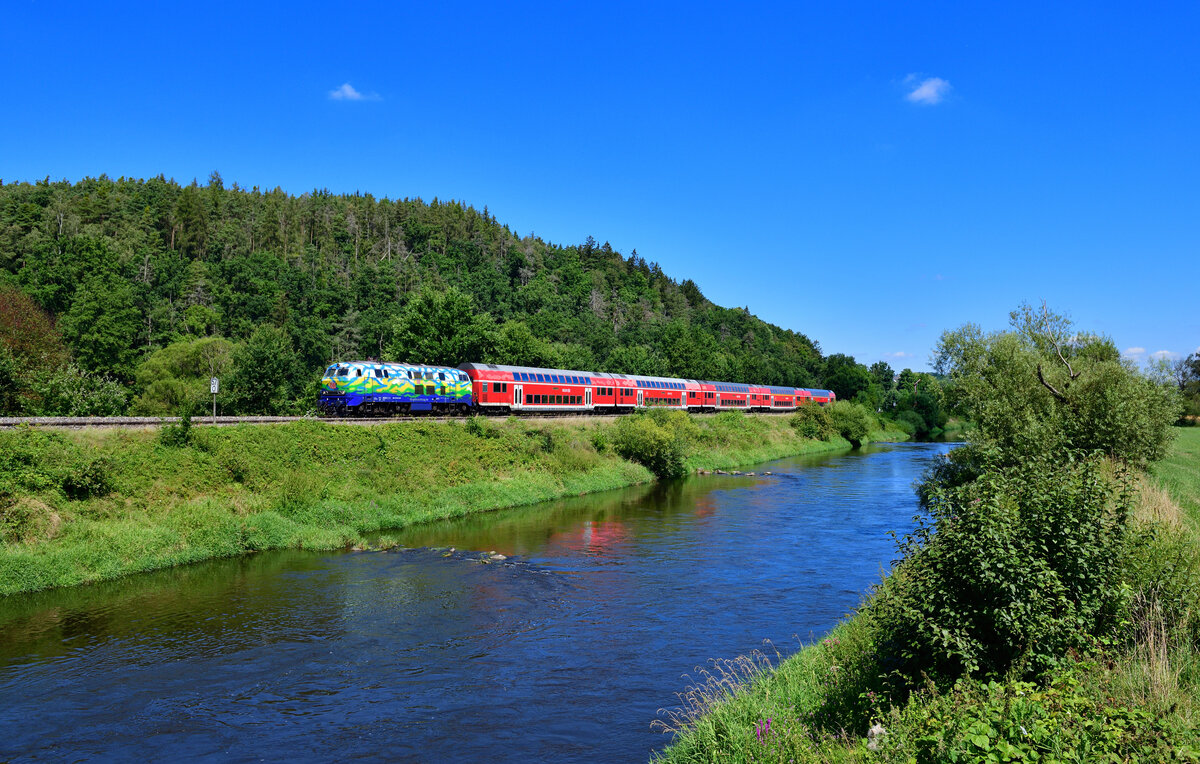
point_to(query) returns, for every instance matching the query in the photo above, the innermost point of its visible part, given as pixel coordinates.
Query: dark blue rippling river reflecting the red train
(563, 652)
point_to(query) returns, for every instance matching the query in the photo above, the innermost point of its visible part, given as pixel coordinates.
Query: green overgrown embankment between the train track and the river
(87, 506)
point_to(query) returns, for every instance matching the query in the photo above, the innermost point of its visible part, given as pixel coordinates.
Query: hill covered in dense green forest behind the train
(137, 272)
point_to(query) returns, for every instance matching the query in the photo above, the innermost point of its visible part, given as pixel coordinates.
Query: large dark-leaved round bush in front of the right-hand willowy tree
(1010, 572)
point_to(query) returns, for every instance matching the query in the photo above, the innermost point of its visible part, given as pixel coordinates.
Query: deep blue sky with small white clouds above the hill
(867, 175)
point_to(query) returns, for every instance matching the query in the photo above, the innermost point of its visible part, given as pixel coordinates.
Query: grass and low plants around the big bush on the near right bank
(1138, 694)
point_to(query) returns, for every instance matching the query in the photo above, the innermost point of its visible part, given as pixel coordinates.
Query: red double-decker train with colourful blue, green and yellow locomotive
(379, 389)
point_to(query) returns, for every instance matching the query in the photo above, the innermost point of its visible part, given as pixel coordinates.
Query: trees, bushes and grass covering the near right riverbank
(1045, 609)
